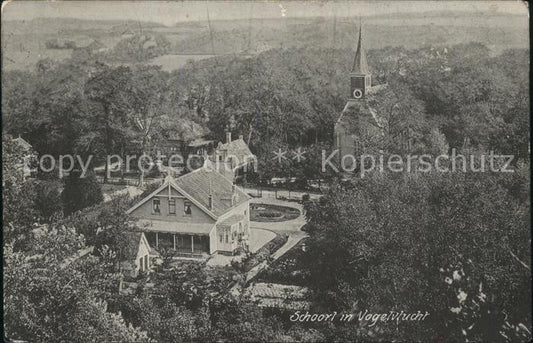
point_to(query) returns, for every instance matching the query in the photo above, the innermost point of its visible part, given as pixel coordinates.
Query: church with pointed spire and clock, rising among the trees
(358, 129)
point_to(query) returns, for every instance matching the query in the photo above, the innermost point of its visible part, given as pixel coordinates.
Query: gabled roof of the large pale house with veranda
(197, 186)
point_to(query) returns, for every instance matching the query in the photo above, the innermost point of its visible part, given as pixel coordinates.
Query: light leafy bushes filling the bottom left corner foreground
(46, 301)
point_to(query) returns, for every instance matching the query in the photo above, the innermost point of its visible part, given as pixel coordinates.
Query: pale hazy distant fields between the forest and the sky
(23, 42)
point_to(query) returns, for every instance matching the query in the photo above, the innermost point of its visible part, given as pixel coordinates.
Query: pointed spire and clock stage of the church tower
(360, 77)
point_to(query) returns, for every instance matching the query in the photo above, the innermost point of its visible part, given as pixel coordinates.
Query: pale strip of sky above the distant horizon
(171, 12)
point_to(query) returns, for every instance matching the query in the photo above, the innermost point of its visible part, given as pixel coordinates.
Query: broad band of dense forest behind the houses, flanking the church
(285, 98)
